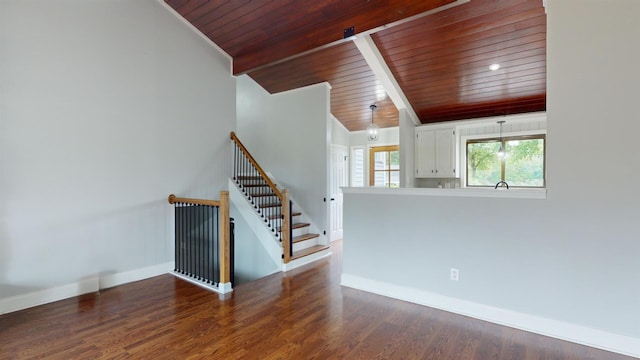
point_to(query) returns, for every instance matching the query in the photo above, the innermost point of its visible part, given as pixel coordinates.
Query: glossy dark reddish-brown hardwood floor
(303, 314)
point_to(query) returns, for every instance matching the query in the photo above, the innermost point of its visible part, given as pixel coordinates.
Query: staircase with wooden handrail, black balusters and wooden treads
(285, 221)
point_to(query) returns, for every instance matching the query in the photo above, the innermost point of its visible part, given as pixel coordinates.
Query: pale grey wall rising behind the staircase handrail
(288, 134)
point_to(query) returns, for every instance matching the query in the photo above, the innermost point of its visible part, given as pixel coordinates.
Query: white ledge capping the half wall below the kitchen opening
(520, 193)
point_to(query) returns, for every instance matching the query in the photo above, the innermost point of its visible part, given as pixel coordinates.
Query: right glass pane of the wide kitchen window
(524, 165)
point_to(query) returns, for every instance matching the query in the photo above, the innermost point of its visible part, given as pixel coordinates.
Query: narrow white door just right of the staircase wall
(339, 178)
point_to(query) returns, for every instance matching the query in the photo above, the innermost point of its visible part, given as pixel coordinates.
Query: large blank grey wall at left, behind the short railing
(106, 107)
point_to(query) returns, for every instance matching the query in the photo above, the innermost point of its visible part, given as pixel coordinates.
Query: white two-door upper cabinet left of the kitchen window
(436, 153)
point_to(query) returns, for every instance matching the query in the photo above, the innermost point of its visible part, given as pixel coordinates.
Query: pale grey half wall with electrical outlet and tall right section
(572, 258)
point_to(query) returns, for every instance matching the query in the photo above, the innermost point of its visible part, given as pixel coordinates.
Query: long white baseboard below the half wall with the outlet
(608, 341)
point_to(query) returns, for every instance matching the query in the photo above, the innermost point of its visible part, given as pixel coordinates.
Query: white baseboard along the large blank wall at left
(84, 286)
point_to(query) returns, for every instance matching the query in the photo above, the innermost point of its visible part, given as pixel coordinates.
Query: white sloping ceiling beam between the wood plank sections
(376, 62)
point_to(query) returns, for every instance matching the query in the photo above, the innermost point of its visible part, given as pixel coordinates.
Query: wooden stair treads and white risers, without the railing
(269, 208)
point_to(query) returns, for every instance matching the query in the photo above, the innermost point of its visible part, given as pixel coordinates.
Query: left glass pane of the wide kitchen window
(484, 167)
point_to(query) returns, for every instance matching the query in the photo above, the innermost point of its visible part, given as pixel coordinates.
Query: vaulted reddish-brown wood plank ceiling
(440, 60)
